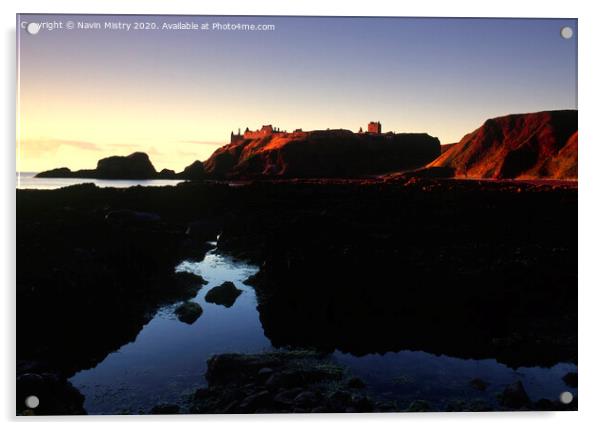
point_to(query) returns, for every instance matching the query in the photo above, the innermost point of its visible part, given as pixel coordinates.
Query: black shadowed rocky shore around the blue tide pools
(474, 269)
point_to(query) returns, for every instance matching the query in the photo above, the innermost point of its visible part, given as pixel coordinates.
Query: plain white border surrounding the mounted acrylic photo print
(590, 216)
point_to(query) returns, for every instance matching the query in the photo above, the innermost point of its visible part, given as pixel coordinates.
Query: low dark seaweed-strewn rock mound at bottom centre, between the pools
(279, 382)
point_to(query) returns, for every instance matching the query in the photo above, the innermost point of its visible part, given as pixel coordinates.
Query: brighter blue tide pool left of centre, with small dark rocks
(167, 360)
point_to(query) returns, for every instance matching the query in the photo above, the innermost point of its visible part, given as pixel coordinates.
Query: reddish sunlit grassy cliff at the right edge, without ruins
(525, 146)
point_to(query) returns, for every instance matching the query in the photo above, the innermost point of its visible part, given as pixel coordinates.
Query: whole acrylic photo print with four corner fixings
(287, 214)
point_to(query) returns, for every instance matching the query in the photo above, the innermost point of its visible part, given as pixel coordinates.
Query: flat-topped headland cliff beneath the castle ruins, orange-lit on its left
(323, 153)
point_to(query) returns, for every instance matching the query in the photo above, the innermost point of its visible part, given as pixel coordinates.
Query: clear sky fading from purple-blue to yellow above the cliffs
(85, 94)
